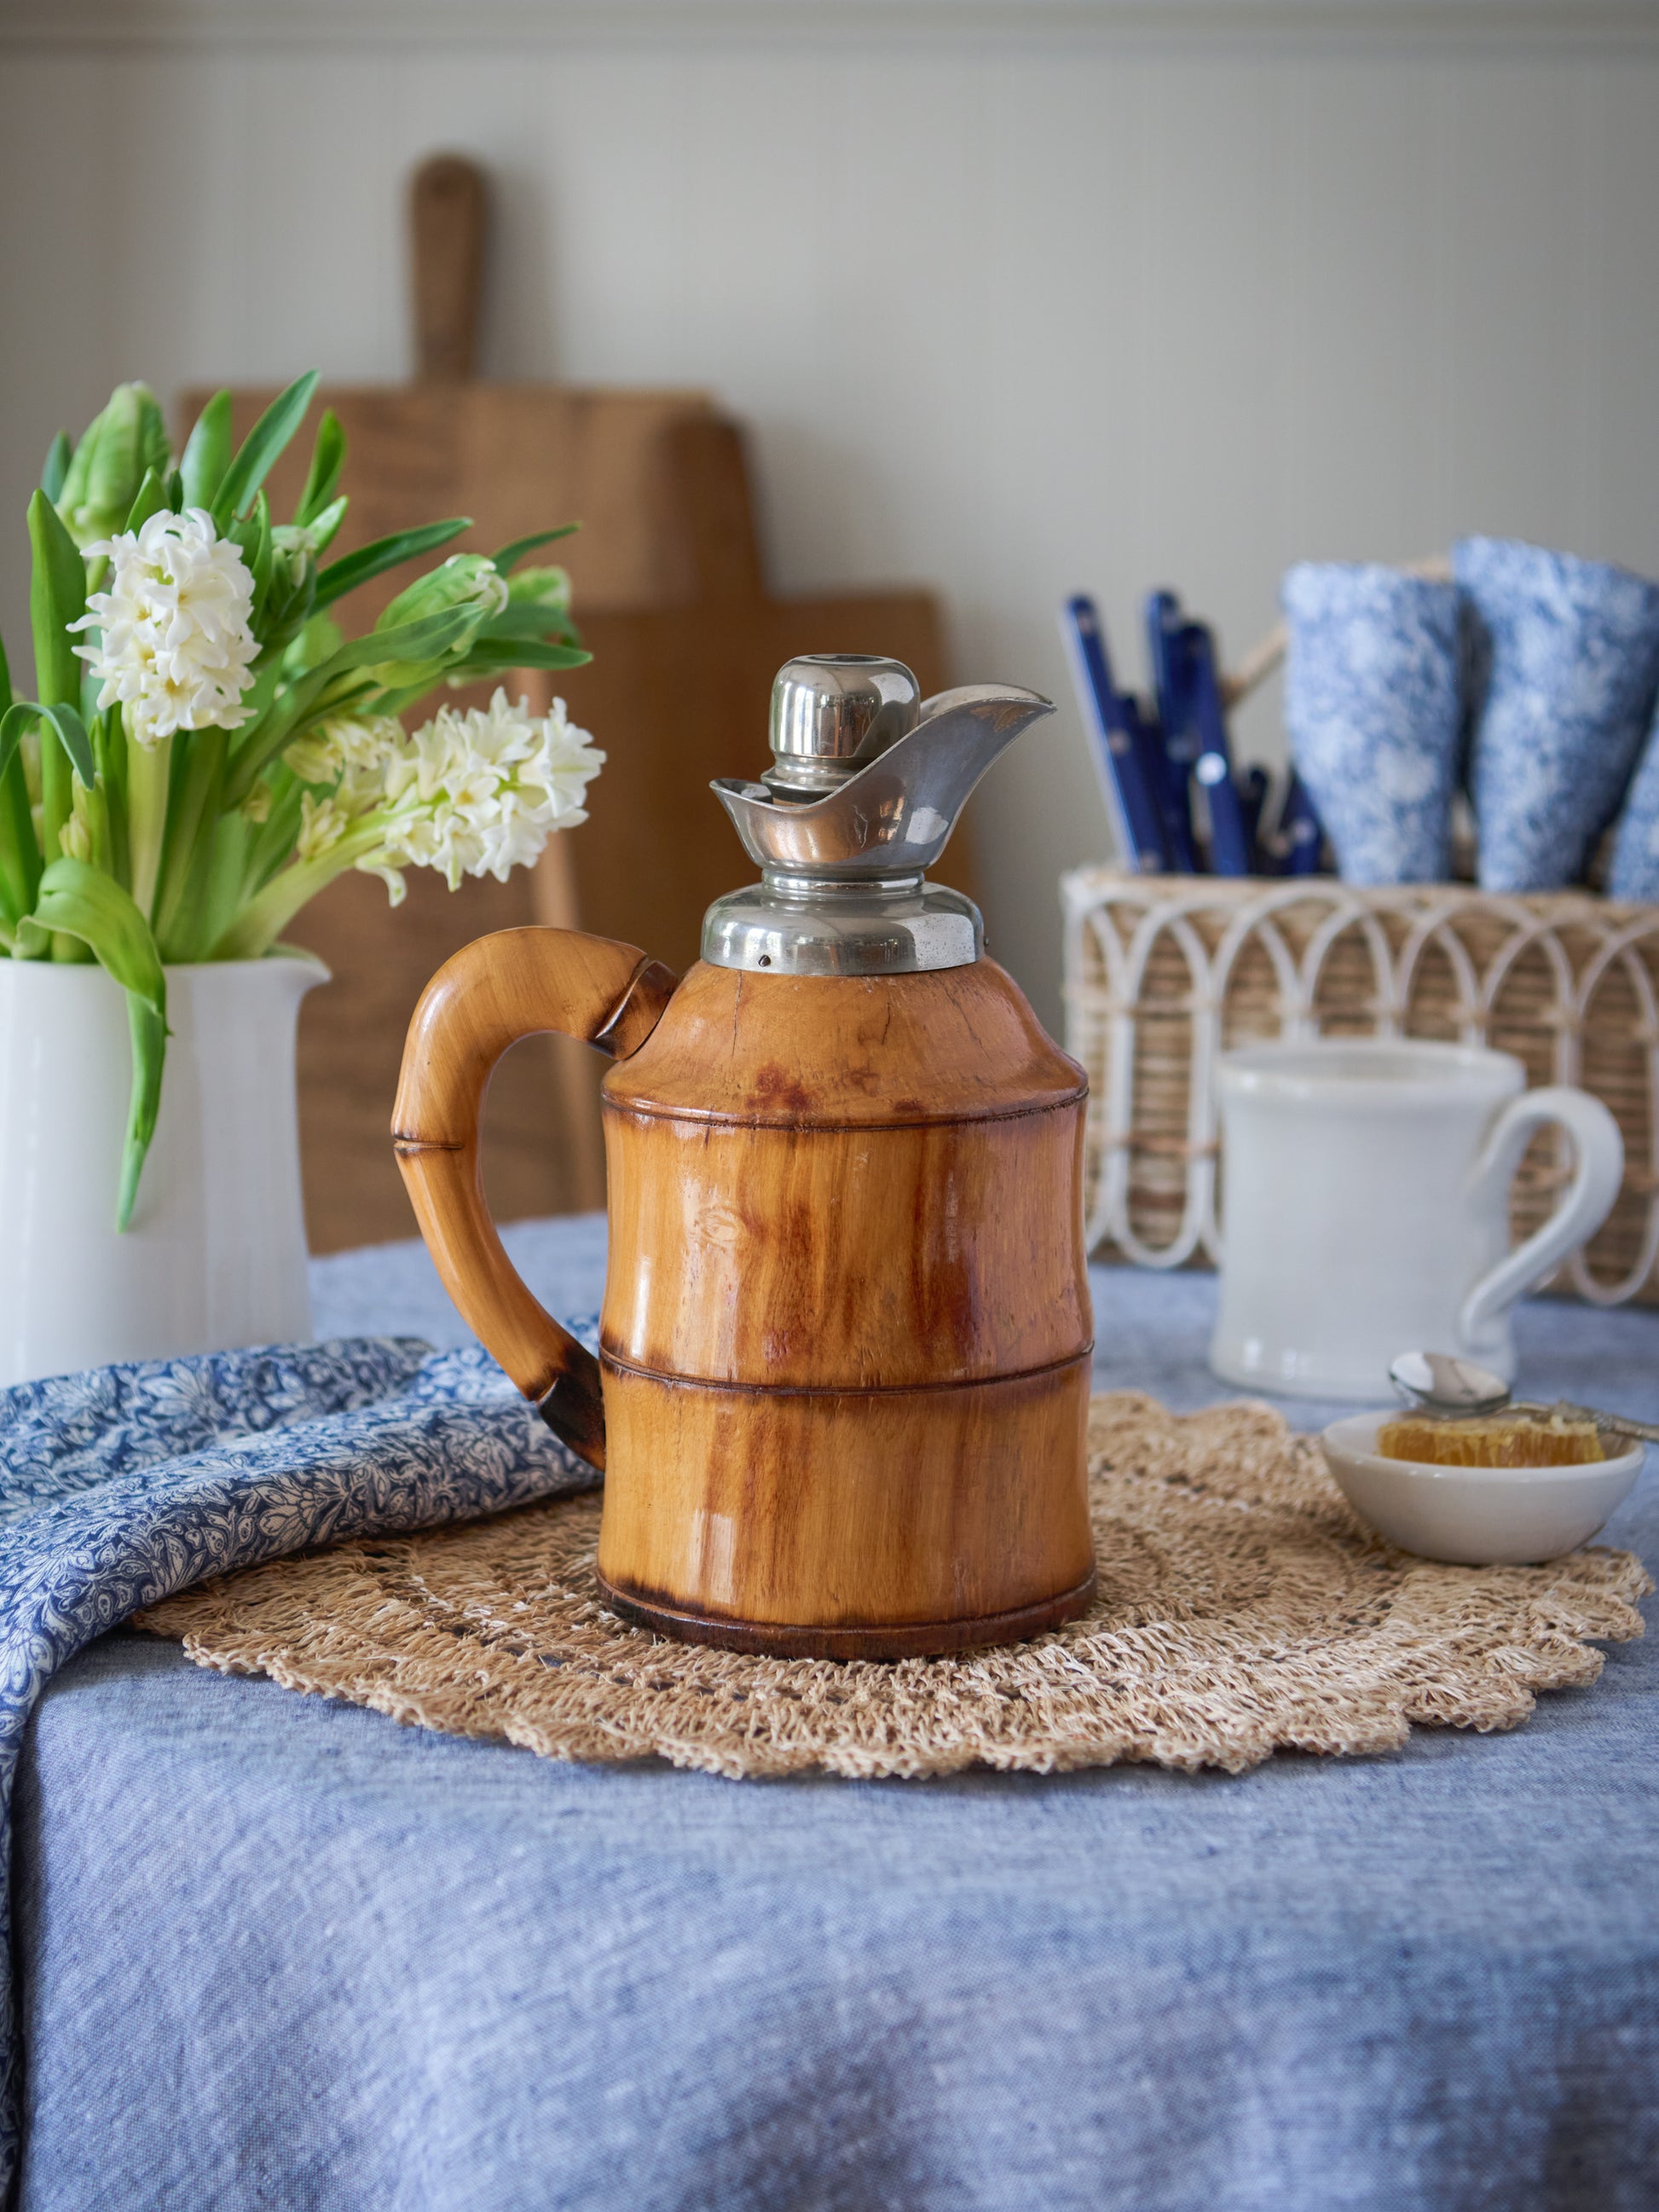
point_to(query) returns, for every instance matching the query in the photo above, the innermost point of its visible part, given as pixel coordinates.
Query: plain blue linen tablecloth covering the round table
(284, 1954)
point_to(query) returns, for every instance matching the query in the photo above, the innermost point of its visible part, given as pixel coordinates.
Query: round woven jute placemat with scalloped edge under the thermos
(1242, 1609)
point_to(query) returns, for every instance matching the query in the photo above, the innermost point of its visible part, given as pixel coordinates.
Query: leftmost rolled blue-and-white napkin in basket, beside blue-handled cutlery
(1375, 716)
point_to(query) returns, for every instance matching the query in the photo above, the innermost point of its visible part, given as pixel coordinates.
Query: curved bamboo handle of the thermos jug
(494, 992)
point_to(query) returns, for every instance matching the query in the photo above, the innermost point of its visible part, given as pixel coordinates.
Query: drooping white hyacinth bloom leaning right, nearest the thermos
(481, 793)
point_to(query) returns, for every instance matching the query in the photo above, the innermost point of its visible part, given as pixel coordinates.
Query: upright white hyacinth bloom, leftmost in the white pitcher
(176, 625)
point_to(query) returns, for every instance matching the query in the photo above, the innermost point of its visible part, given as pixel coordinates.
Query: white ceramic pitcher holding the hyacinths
(218, 1244)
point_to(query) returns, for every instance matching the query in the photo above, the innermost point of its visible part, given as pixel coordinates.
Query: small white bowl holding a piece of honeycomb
(1474, 1516)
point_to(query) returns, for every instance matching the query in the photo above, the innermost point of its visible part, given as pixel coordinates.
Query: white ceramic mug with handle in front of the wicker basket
(1366, 1196)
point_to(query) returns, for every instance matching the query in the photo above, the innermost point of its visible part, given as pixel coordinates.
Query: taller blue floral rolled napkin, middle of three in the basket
(1565, 667)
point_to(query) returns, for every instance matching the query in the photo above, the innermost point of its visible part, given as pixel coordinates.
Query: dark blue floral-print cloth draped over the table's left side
(129, 1483)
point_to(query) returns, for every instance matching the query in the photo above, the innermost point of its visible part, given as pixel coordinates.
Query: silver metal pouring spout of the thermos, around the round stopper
(897, 815)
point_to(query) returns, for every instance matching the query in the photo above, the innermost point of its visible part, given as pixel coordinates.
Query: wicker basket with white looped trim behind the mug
(1167, 972)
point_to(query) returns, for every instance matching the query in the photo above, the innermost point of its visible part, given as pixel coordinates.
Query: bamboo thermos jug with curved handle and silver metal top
(846, 1333)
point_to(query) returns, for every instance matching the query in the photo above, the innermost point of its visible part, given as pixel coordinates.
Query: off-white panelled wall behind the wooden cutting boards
(1016, 300)
